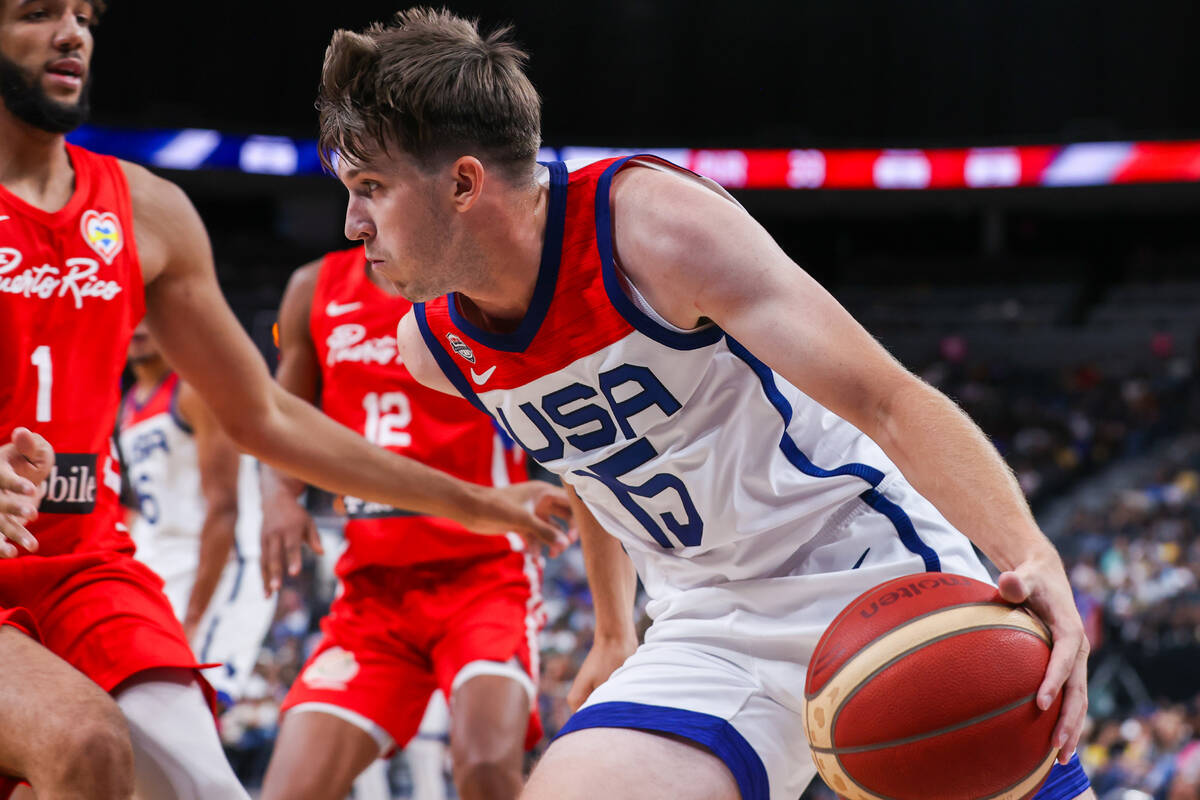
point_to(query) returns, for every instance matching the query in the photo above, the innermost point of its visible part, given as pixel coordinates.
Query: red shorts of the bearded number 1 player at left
(104, 613)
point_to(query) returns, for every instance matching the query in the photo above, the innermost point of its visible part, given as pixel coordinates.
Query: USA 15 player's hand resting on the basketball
(1041, 584)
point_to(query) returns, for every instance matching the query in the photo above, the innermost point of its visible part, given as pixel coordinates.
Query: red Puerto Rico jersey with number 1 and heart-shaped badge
(70, 297)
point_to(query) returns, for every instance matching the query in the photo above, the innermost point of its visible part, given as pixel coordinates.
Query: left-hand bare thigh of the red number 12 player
(317, 756)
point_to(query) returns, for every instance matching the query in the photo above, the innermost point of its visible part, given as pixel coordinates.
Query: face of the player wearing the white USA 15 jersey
(405, 219)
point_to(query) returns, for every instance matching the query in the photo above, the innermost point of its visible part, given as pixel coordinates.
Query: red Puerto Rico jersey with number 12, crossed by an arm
(367, 387)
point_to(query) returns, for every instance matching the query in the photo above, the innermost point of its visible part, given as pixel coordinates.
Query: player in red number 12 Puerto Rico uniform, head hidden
(425, 605)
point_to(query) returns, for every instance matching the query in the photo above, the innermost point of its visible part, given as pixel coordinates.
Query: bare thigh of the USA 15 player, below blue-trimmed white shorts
(632, 766)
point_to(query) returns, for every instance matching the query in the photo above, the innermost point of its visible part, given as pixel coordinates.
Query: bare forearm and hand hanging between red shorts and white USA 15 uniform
(614, 585)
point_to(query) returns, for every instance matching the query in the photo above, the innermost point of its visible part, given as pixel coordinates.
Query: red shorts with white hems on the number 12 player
(398, 634)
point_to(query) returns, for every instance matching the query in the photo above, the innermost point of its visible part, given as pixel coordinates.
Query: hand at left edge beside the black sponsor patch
(26, 462)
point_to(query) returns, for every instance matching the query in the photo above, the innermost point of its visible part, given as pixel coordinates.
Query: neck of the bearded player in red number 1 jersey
(34, 165)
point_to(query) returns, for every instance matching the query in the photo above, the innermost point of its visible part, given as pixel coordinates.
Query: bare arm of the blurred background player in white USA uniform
(218, 462)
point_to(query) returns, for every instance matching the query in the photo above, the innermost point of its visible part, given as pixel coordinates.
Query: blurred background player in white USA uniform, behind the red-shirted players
(199, 516)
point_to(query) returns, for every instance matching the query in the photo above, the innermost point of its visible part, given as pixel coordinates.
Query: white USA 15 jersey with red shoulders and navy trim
(709, 466)
